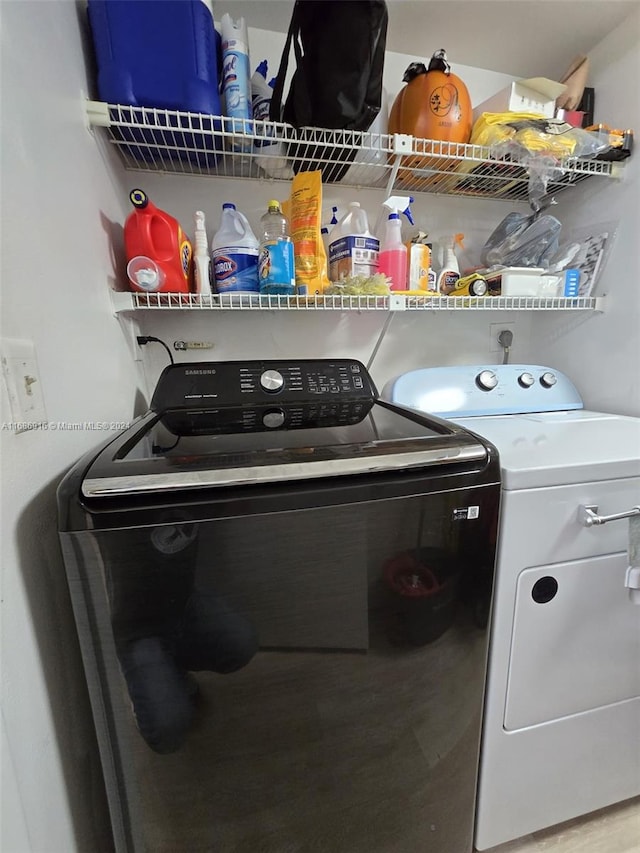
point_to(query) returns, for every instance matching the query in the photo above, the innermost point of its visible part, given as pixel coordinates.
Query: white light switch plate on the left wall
(22, 381)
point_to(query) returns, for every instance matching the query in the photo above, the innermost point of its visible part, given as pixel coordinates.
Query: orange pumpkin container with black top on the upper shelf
(434, 105)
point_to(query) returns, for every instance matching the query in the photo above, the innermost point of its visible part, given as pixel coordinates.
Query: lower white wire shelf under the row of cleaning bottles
(125, 301)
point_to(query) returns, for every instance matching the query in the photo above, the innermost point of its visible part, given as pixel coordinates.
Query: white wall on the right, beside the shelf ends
(601, 352)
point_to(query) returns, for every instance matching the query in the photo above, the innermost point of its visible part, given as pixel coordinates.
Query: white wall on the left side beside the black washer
(58, 203)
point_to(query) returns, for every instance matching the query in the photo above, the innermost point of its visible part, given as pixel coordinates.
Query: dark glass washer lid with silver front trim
(204, 448)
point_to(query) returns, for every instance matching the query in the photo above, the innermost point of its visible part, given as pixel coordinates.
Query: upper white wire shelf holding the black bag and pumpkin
(149, 139)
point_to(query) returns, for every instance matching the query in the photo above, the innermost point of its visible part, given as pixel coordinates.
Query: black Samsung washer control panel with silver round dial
(234, 383)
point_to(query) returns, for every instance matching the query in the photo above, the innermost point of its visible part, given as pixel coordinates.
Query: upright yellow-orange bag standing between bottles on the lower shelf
(304, 211)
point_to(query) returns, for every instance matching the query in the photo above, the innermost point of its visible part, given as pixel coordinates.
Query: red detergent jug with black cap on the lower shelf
(156, 235)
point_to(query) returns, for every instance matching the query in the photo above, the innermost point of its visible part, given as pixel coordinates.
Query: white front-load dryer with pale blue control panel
(561, 731)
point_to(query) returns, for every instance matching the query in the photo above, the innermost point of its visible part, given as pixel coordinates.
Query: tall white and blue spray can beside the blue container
(236, 84)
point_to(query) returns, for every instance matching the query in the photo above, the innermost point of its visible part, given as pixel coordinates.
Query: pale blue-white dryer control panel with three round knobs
(469, 390)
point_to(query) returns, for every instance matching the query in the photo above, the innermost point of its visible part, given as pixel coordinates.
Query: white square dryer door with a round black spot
(570, 622)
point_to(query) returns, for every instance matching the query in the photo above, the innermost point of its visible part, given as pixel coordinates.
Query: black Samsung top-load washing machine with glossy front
(281, 585)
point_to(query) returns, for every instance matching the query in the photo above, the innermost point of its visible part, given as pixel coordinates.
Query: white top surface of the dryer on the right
(560, 448)
